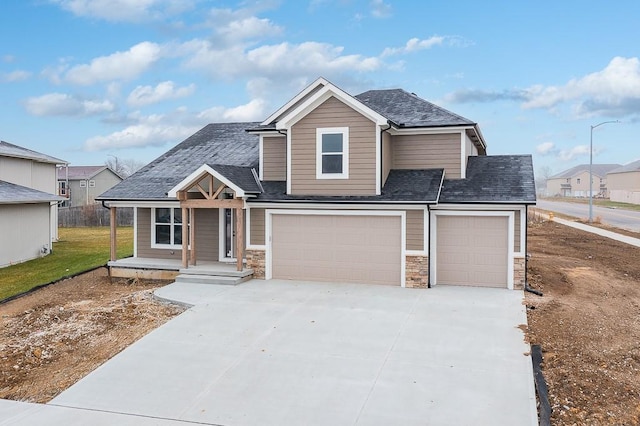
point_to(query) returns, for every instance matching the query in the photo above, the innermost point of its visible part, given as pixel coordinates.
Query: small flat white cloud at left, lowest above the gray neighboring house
(61, 104)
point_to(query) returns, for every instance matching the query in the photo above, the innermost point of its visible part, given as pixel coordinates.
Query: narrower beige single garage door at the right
(472, 250)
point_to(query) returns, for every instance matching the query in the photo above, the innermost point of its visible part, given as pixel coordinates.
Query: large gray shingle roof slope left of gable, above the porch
(220, 144)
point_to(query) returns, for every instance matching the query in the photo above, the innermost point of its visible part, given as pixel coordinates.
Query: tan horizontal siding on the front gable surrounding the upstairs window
(362, 152)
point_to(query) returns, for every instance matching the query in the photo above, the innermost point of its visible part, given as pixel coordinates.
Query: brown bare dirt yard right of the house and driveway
(587, 323)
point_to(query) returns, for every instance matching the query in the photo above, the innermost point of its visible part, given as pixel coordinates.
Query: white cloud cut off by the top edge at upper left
(124, 10)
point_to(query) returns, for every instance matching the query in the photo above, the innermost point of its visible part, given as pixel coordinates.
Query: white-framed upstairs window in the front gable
(332, 153)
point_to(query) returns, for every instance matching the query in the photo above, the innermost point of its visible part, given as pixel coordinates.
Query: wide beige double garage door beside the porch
(360, 249)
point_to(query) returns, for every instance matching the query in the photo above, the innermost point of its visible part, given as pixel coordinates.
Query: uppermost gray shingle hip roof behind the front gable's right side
(408, 110)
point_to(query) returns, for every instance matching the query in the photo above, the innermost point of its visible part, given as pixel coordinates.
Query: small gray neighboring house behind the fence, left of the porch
(82, 184)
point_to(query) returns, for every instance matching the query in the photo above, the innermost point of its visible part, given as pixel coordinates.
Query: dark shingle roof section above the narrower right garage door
(493, 179)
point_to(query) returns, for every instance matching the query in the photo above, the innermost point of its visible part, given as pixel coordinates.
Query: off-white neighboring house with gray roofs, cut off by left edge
(28, 204)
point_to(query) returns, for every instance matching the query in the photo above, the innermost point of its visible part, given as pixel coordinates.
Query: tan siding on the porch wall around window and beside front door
(206, 236)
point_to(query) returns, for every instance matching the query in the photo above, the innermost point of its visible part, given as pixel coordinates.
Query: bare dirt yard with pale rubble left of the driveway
(54, 336)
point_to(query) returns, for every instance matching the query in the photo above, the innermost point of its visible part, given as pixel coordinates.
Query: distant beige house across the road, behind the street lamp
(574, 182)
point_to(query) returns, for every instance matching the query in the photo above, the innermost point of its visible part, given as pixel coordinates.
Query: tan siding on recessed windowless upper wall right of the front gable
(428, 152)
